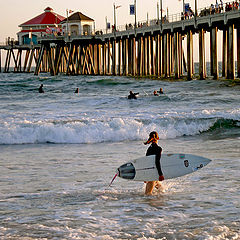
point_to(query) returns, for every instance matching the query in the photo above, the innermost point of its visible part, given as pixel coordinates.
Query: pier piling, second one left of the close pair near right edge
(202, 61)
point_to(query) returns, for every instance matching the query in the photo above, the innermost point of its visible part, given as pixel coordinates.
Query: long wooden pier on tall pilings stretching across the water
(153, 50)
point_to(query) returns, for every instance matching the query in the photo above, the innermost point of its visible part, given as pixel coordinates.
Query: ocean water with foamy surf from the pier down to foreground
(60, 150)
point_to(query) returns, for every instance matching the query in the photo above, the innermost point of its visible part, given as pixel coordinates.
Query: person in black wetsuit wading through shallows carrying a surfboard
(154, 149)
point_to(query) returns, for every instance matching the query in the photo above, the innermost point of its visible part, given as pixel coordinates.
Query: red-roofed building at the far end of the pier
(47, 22)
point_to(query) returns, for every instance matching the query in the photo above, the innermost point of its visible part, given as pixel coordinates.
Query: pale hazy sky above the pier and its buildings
(15, 12)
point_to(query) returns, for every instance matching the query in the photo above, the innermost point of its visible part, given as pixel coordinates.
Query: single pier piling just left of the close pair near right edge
(214, 51)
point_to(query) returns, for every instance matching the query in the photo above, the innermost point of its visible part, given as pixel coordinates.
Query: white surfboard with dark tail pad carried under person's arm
(172, 165)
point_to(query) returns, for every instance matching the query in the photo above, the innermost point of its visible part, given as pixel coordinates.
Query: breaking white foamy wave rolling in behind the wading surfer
(87, 130)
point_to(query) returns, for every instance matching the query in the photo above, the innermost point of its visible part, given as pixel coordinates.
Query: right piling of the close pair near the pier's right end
(231, 63)
